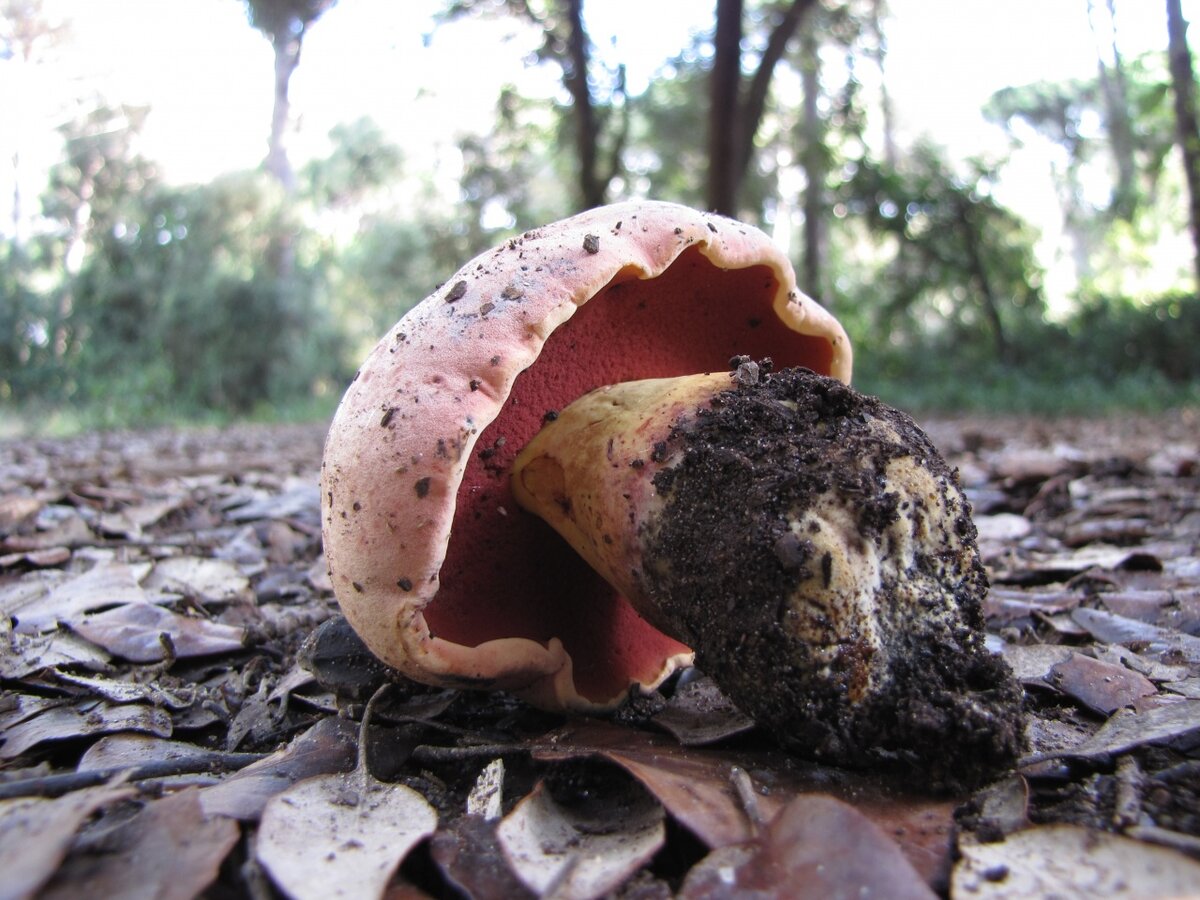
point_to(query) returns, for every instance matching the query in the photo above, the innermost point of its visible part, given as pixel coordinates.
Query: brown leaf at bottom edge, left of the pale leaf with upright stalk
(169, 851)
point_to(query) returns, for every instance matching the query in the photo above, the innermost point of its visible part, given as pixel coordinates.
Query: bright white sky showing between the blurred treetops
(207, 75)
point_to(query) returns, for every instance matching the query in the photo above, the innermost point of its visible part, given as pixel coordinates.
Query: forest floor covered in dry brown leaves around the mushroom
(183, 711)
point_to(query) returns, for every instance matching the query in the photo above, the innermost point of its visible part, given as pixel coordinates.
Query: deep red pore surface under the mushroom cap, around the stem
(507, 573)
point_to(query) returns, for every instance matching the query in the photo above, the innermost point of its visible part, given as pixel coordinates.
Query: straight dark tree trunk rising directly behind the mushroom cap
(724, 119)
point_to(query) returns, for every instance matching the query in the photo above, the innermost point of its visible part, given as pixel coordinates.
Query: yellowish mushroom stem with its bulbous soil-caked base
(808, 543)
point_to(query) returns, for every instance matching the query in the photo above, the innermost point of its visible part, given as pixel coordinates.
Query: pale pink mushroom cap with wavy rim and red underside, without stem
(435, 563)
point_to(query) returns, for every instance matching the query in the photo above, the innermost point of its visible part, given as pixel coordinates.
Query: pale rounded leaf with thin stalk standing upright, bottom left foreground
(341, 836)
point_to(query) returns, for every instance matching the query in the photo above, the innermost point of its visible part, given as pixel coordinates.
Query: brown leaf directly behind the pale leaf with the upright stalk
(328, 747)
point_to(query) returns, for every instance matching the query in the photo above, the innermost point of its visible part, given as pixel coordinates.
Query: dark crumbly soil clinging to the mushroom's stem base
(751, 560)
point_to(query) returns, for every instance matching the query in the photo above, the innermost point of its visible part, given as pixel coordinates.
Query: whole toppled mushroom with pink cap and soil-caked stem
(808, 543)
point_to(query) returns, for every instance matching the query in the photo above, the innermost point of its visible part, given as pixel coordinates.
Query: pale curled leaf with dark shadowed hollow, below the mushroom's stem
(580, 851)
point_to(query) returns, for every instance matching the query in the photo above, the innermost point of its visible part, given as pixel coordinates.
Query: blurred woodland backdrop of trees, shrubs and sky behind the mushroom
(212, 209)
